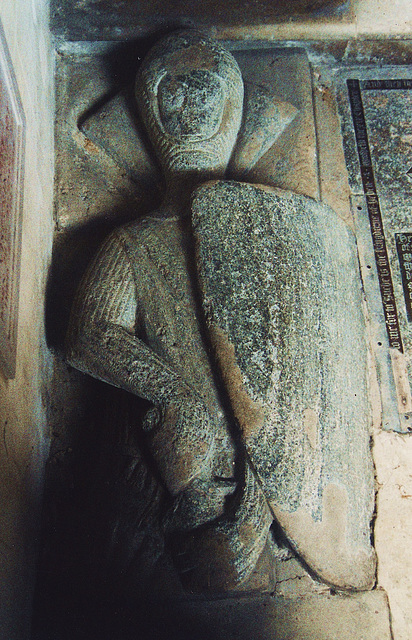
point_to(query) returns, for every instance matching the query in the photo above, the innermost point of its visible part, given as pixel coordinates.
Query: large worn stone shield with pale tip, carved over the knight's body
(282, 300)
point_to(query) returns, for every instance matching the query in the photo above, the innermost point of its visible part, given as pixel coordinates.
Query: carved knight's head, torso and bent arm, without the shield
(136, 324)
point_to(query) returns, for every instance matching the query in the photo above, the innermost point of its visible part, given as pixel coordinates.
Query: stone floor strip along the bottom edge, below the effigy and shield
(318, 617)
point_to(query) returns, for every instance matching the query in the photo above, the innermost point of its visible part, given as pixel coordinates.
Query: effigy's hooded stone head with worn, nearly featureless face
(190, 94)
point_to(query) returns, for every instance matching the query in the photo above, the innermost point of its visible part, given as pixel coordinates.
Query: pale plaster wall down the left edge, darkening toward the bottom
(23, 437)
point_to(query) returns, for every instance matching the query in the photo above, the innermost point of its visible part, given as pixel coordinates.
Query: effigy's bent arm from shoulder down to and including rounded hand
(102, 342)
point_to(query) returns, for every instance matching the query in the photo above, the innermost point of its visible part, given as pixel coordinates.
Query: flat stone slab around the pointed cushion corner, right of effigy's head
(291, 161)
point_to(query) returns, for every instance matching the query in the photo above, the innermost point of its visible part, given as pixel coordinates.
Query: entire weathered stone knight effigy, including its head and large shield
(235, 310)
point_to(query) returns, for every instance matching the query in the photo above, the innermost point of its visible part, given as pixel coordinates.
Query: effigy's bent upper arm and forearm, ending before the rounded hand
(101, 338)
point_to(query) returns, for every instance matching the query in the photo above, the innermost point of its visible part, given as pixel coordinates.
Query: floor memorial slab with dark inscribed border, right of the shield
(381, 110)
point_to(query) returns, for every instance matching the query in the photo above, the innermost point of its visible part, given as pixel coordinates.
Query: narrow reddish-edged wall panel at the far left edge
(11, 169)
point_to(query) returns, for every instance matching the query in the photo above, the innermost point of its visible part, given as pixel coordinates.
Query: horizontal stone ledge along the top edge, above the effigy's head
(265, 20)
